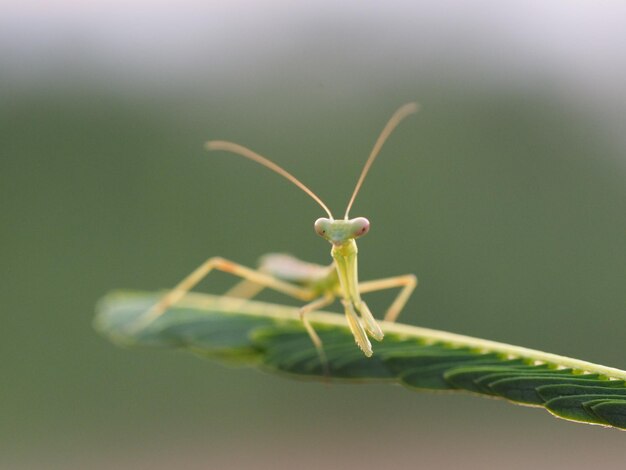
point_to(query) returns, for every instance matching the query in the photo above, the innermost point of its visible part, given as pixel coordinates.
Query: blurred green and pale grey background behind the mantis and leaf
(505, 195)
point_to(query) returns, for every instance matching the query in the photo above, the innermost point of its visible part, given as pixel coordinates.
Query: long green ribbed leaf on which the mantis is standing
(273, 338)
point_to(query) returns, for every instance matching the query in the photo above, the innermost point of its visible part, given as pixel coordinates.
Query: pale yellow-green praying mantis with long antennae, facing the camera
(316, 284)
